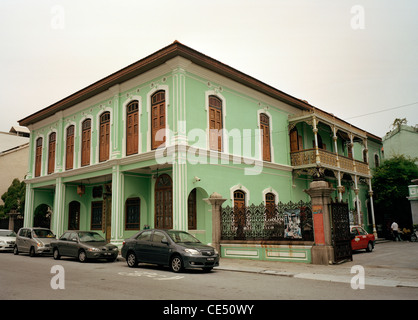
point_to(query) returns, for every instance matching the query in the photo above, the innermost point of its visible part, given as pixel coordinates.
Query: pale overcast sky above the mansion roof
(355, 59)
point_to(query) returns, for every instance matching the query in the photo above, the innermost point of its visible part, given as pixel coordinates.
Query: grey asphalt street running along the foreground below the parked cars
(23, 277)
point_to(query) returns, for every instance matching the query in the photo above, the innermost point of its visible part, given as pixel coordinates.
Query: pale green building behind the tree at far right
(402, 140)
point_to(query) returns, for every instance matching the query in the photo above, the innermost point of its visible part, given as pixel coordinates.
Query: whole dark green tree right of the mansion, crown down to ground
(390, 185)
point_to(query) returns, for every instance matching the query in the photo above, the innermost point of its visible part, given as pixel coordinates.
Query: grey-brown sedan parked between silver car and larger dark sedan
(84, 245)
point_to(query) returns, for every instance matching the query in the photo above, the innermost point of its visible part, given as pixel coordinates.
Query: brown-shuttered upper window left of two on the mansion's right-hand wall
(215, 123)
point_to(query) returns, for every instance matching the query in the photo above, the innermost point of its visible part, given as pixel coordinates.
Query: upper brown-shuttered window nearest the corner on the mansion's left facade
(158, 119)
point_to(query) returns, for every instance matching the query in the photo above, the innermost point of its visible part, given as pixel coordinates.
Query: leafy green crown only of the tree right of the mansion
(391, 179)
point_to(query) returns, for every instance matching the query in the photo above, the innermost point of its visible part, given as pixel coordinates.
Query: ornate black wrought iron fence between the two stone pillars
(289, 221)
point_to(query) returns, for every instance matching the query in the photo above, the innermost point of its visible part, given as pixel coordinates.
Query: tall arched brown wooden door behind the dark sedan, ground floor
(163, 202)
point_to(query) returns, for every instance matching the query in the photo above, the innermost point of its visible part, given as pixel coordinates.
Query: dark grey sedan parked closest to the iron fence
(173, 248)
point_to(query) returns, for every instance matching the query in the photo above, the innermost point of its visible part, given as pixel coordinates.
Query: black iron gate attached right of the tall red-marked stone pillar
(341, 237)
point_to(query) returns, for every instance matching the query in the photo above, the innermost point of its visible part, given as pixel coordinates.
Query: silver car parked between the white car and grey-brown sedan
(33, 241)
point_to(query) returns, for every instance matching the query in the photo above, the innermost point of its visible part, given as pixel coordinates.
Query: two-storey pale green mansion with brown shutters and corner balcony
(143, 147)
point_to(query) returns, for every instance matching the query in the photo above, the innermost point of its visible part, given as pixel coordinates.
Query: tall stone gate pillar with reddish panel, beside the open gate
(322, 250)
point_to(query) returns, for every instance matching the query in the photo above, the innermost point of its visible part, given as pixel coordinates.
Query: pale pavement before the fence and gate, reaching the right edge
(391, 264)
